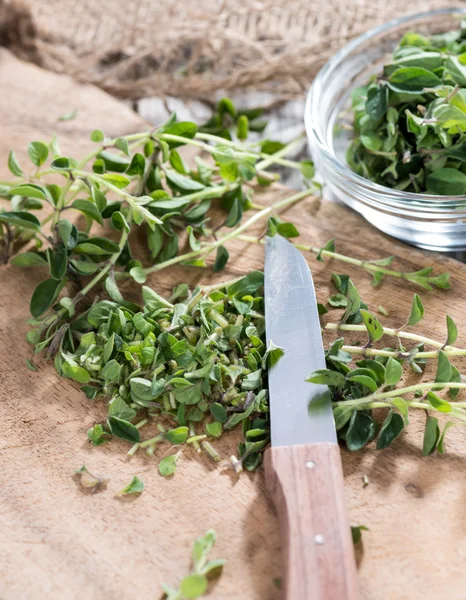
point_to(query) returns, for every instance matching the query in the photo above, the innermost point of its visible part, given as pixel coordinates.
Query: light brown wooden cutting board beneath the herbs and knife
(57, 543)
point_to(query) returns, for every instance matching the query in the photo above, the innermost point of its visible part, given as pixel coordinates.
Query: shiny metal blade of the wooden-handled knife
(300, 412)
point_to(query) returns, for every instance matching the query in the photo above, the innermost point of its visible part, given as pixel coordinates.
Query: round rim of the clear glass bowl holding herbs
(408, 199)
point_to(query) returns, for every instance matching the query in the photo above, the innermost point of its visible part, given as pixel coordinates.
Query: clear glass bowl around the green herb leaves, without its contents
(424, 220)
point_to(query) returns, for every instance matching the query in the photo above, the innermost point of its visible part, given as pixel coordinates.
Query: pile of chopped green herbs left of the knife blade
(196, 367)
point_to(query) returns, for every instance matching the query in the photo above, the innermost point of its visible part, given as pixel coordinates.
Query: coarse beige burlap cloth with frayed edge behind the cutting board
(191, 48)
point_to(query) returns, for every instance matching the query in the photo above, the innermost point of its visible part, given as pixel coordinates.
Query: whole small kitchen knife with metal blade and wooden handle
(303, 466)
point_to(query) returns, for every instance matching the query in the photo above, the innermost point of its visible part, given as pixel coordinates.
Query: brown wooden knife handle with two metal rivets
(306, 482)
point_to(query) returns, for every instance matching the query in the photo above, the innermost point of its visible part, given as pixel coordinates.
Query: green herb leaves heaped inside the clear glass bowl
(410, 121)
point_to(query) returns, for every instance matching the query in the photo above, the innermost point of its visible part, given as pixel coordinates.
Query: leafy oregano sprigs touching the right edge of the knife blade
(375, 382)
